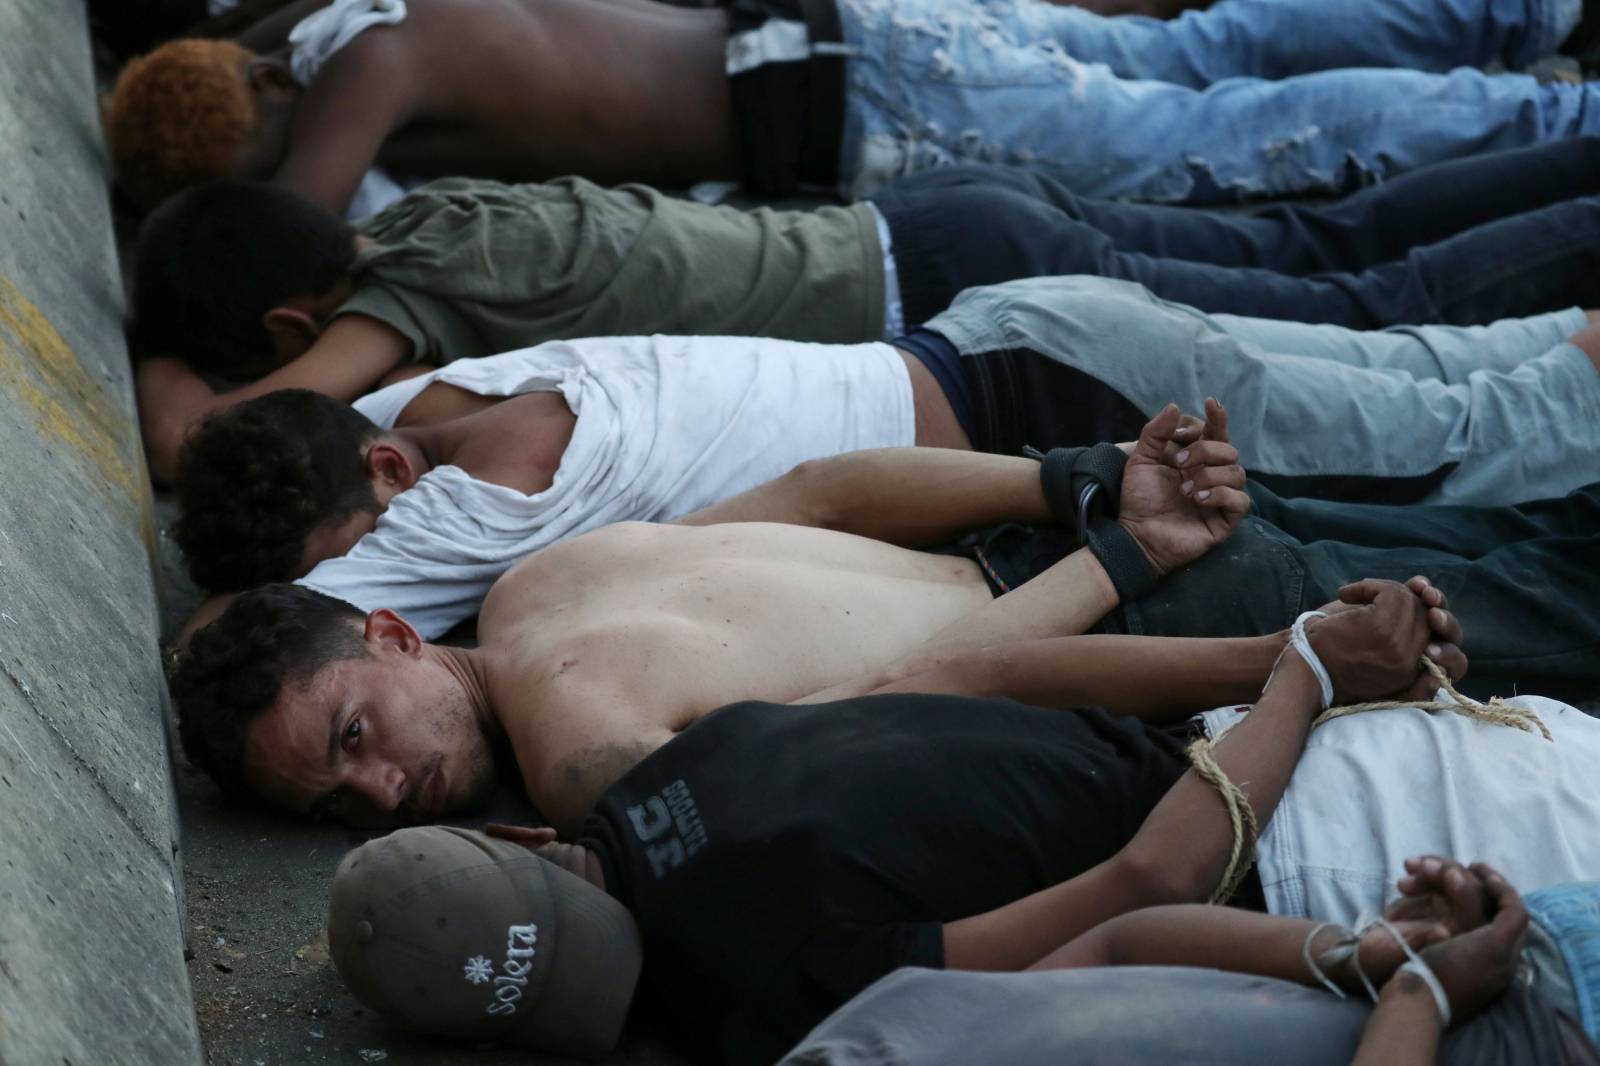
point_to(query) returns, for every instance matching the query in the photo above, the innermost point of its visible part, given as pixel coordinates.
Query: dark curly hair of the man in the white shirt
(257, 479)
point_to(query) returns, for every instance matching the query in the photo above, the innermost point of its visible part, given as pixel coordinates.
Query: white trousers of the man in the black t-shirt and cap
(1378, 788)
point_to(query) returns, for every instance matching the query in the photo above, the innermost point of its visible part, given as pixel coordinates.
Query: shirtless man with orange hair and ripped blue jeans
(852, 94)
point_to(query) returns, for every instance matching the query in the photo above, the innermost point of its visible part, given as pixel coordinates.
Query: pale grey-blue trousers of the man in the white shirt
(1490, 415)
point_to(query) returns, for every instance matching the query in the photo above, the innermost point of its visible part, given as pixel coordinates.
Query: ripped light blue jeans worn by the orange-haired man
(1068, 94)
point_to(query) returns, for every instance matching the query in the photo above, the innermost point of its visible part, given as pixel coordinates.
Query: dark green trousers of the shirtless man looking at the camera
(1522, 580)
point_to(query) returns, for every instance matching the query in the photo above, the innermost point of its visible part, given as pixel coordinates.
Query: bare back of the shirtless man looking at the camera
(604, 647)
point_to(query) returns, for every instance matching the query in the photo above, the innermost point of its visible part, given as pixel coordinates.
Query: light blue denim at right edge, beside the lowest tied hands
(1564, 950)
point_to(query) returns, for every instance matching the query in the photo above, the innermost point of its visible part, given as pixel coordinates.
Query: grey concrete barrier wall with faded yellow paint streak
(90, 892)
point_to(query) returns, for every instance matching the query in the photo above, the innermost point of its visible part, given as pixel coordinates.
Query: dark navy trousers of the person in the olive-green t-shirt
(975, 225)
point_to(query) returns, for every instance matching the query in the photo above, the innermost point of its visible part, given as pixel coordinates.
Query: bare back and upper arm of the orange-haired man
(521, 90)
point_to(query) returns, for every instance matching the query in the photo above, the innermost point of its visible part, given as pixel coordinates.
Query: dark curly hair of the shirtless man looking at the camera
(234, 670)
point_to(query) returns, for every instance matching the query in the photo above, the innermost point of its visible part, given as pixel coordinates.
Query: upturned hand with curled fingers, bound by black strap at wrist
(1183, 491)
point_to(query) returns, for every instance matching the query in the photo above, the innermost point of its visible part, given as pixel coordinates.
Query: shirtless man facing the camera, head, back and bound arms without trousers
(601, 649)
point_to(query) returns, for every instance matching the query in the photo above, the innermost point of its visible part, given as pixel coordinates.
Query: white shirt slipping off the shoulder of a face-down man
(666, 425)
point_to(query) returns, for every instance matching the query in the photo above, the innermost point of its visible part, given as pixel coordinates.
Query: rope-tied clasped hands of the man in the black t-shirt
(1375, 636)
